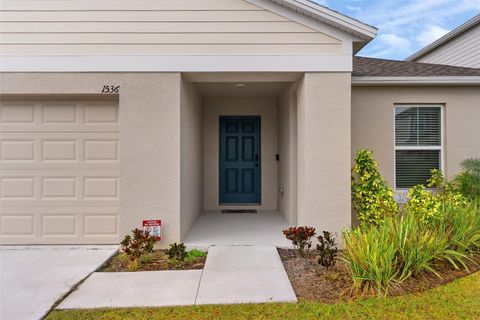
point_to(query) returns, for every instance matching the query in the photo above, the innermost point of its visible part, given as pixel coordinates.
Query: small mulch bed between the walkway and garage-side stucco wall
(151, 262)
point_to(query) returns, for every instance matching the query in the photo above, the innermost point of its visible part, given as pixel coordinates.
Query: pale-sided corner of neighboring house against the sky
(460, 47)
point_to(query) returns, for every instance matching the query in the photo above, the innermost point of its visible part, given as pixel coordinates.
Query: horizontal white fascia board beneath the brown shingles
(391, 81)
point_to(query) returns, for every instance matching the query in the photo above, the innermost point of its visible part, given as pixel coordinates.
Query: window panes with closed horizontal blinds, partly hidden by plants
(418, 144)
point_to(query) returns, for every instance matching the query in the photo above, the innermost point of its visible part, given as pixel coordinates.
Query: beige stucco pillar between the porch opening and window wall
(323, 118)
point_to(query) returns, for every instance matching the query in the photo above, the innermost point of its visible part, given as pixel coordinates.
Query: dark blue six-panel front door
(239, 160)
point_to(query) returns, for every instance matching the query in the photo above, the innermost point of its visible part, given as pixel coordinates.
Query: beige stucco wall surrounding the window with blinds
(373, 122)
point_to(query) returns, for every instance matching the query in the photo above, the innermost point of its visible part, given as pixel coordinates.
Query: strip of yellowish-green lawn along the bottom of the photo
(457, 300)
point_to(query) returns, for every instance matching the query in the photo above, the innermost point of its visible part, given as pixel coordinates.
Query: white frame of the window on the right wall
(401, 192)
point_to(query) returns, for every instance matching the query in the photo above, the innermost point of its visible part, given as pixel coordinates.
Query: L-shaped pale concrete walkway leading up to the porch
(232, 274)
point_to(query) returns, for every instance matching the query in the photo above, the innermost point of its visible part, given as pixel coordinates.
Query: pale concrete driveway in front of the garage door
(34, 278)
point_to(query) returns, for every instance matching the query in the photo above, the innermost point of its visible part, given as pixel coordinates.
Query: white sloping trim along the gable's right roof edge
(328, 16)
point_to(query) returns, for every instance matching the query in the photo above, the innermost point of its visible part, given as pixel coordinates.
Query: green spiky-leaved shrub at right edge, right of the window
(468, 180)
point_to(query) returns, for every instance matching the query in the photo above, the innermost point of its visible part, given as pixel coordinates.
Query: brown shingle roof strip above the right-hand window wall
(371, 67)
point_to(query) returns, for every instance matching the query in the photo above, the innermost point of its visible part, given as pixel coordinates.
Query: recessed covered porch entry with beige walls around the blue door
(238, 144)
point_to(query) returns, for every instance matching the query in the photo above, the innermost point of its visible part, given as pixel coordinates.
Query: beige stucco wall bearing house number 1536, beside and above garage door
(149, 117)
